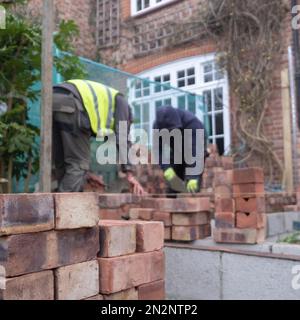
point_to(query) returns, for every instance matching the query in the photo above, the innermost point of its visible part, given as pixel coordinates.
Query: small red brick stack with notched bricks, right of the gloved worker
(240, 216)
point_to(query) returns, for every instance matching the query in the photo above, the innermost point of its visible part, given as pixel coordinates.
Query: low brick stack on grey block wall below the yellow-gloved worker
(185, 219)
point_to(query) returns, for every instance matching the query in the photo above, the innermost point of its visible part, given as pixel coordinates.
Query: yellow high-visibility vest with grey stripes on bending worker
(99, 102)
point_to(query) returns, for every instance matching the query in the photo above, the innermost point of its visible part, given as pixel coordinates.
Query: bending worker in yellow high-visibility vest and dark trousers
(82, 109)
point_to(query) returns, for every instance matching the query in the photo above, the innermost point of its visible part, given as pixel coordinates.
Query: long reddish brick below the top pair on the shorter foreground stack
(121, 273)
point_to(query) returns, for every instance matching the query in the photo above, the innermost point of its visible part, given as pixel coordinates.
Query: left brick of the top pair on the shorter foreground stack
(117, 238)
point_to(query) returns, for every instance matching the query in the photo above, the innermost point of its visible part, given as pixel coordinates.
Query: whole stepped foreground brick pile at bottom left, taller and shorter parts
(50, 246)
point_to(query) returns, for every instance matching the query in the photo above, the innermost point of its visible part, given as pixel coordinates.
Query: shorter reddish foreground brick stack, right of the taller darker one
(133, 268)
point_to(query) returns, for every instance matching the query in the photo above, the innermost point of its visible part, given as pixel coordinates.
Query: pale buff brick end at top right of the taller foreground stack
(76, 210)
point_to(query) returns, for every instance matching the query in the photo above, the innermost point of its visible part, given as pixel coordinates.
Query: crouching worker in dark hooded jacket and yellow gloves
(170, 118)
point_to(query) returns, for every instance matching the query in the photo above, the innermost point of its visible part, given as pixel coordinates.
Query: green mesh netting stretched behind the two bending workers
(144, 97)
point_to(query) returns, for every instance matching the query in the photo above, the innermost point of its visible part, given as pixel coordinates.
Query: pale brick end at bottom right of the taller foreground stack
(77, 281)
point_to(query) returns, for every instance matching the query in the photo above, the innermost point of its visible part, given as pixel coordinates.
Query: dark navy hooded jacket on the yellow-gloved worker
(170, 118)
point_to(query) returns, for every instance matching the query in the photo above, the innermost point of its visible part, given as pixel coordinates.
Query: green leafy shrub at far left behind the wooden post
(20, 61)
